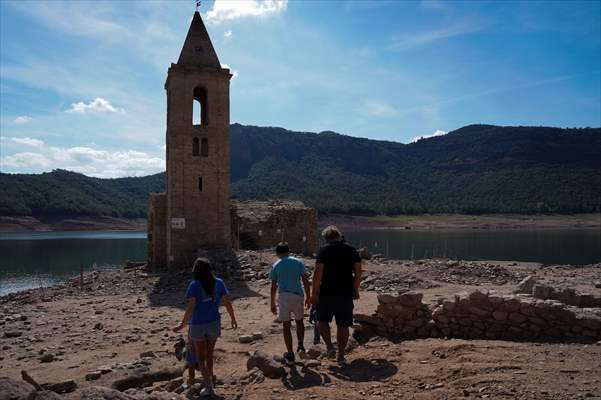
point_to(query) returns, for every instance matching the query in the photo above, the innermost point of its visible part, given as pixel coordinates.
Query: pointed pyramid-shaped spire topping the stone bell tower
(198, 50)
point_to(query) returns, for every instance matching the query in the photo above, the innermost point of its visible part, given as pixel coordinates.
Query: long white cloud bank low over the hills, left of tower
(91, 161)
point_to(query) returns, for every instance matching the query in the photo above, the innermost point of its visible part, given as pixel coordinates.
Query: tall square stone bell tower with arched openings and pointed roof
(198, 160)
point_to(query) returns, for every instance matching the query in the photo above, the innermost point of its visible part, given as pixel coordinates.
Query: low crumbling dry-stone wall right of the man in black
(481, 315)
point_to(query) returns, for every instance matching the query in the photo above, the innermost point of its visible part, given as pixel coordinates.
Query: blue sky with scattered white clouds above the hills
(82, 83)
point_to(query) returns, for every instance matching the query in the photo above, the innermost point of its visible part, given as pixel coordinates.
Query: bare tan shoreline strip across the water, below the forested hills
(345, 222)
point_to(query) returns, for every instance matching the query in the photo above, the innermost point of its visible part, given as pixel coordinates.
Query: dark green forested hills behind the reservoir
(475, 169)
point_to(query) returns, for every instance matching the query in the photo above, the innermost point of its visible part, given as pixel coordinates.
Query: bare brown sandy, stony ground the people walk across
(118, 315)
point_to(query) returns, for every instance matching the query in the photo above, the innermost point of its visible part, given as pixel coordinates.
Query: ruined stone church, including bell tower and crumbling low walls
(196, 213)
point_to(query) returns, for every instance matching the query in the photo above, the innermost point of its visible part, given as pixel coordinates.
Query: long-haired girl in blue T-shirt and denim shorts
(204, 295)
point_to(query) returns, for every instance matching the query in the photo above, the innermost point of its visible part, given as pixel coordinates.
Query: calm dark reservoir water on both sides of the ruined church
(40, 259)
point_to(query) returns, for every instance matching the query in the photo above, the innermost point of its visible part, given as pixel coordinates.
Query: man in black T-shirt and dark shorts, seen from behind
(335, 285)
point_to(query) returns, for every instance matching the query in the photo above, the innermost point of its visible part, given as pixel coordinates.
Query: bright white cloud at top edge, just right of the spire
(224, 10)
